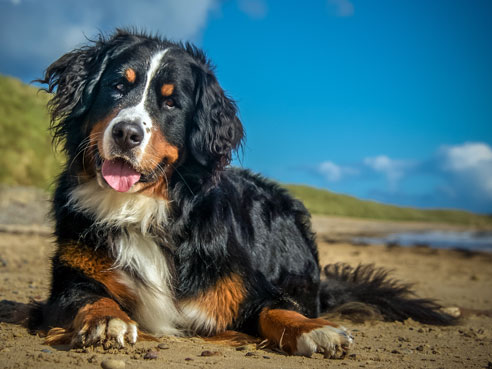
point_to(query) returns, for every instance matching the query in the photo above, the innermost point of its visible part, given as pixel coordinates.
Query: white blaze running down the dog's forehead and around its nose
(136, 113)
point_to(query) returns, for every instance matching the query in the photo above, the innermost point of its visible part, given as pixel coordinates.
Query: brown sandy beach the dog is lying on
(454, 278)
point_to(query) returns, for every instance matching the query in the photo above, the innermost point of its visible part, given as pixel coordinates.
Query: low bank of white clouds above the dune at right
(455, 176)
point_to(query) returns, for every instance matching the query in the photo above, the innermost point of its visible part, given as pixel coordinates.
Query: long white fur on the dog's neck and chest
(140, 262)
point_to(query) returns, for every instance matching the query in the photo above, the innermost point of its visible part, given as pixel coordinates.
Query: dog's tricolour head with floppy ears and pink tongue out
(131, 109)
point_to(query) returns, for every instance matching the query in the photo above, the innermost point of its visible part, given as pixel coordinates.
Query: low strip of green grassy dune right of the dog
(328, 203)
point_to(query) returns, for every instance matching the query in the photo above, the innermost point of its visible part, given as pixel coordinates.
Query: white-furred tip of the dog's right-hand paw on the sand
(333, 342)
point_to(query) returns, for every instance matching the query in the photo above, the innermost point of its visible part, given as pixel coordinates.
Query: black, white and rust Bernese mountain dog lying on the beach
(157, 235)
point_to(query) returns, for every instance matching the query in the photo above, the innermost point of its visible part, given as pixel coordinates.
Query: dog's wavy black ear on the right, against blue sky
(217, 130)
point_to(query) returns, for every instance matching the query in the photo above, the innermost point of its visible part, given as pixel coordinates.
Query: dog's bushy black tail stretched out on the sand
(367, 292)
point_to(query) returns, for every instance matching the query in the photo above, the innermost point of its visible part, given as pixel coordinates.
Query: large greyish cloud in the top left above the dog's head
(38, 32)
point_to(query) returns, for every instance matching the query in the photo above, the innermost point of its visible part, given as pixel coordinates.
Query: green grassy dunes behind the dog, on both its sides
(26, 158)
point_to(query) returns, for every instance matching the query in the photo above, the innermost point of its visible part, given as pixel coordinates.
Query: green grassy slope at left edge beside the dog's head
(26, 156)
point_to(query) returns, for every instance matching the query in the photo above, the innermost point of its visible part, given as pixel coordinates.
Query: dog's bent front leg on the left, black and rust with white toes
(87, 300)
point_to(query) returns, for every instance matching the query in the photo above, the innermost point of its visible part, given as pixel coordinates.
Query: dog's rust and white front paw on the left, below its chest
(103, 322)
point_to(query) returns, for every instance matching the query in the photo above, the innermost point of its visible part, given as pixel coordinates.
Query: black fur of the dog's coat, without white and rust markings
(222, 220)
